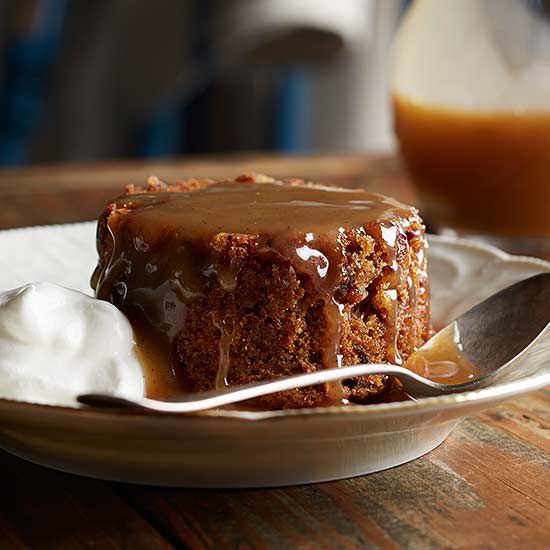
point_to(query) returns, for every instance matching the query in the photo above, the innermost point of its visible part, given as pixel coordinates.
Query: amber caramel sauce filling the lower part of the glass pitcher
(478, 172)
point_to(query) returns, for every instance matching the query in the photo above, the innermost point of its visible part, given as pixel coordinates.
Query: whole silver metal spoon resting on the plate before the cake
(492, 334)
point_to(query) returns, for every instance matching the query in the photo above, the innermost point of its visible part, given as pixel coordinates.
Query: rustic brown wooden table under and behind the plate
(487, 486)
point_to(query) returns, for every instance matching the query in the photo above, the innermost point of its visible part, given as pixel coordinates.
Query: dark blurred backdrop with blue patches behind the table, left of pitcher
(104, 79)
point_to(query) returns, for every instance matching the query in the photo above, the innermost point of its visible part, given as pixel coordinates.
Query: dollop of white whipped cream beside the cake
(57, 343)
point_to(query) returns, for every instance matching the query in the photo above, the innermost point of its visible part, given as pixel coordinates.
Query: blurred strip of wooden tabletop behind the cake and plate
(44, 195)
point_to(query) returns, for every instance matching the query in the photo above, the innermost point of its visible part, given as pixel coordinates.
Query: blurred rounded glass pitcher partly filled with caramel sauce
(470, 87)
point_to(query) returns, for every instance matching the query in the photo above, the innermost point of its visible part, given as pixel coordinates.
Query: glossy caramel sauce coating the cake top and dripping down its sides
(170, 259)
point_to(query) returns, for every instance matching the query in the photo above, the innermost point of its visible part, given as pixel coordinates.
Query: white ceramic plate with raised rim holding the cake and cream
(253, 449)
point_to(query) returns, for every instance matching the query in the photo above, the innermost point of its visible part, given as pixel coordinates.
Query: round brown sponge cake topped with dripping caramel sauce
(232, 282)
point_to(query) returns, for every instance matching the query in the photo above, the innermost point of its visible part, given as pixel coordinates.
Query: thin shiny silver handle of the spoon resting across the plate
(193, 402)
